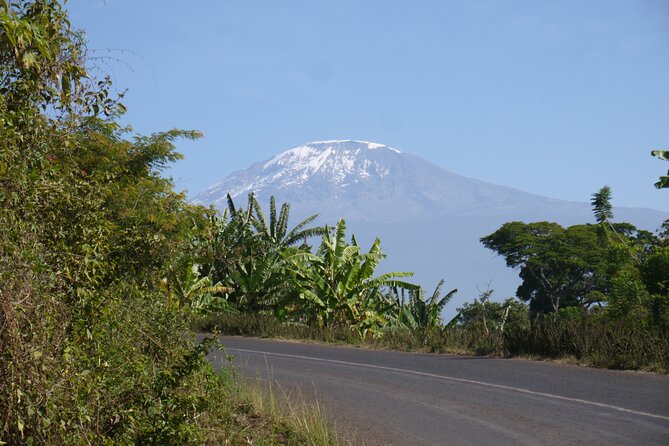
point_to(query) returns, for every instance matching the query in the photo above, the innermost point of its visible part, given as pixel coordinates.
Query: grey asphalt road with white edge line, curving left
(424, 399)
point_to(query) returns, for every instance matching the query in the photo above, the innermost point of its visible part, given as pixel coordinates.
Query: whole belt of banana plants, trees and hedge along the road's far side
(594, 294)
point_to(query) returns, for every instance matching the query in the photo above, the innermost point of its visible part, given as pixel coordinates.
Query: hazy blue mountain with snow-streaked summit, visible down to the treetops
(429, 220)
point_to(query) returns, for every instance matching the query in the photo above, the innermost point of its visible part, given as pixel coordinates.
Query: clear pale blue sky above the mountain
(555, 98)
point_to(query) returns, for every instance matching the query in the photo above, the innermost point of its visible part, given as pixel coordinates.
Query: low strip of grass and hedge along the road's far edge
(587, 341)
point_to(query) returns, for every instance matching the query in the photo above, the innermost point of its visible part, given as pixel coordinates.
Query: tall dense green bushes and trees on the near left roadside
(97, 285)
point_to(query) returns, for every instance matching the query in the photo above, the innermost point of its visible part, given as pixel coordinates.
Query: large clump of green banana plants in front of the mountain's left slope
(272, 270)
